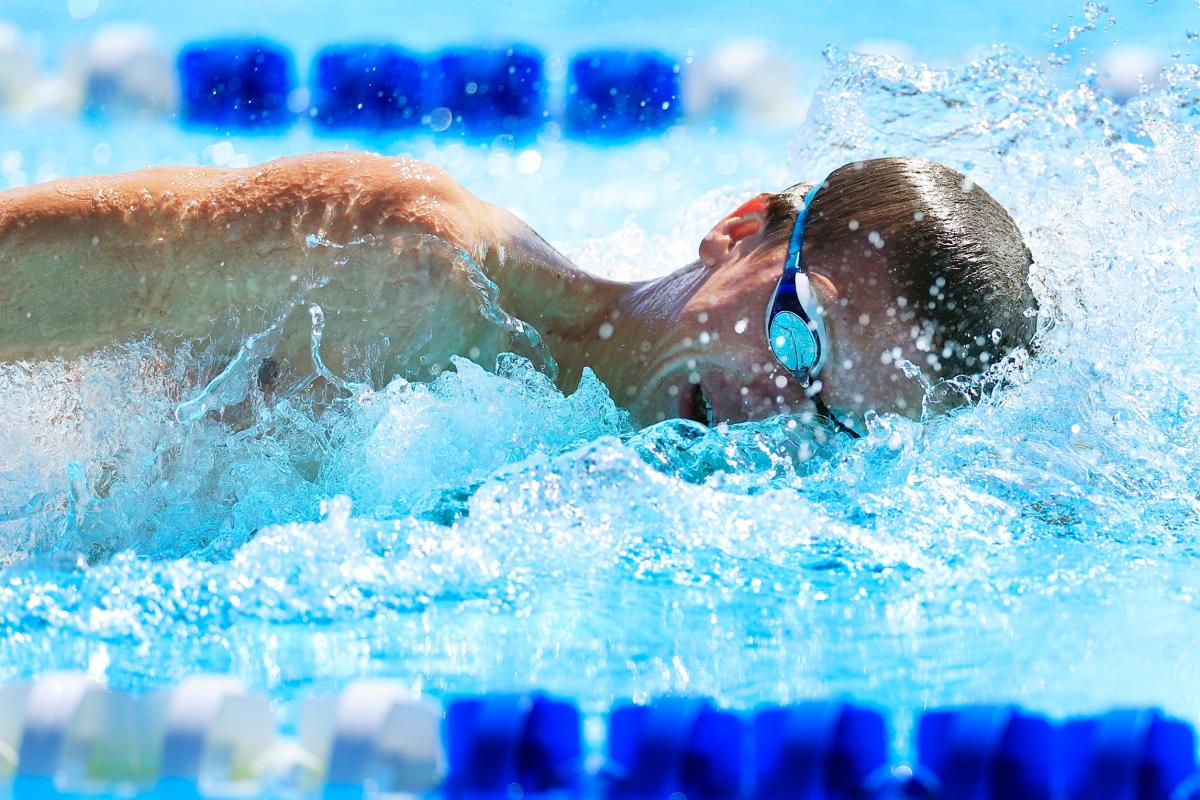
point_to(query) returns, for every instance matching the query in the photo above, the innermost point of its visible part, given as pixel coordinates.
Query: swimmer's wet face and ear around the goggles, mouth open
(715, 364)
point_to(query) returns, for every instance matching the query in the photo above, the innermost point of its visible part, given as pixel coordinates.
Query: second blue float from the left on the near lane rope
(675, 747)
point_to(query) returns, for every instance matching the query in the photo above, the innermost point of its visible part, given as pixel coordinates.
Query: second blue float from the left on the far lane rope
(368, 88)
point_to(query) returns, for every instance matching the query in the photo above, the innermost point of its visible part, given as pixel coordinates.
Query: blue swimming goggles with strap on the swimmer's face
(796, 328)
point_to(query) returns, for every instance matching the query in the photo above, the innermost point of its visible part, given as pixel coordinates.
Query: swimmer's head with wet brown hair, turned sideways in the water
(914, 266)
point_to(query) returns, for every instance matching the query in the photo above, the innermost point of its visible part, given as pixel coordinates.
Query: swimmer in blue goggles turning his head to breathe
(824, 298)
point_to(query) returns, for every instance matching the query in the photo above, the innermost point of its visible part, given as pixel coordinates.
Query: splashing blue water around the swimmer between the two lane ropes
(487, 532)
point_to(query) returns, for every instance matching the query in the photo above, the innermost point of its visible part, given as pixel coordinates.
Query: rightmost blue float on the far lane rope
(620, 94)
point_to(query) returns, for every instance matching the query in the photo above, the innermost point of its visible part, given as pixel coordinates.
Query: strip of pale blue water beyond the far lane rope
(677, 26)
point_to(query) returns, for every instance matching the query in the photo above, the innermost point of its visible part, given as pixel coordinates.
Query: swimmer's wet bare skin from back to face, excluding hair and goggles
(89, 262)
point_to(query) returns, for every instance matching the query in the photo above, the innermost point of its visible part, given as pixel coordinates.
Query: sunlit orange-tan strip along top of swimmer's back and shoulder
(339, 195)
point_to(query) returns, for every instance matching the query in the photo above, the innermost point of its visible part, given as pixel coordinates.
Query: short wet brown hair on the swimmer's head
(956, 257)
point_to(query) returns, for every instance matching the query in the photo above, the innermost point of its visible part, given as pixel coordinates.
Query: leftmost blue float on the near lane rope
(501, 743)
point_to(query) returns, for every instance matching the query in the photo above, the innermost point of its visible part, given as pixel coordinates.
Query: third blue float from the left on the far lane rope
(491, 92)
